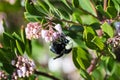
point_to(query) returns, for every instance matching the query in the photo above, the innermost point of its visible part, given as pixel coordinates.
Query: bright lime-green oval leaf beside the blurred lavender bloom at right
(106, 28)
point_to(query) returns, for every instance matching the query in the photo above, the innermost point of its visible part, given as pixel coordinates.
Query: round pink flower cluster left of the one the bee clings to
(33, 30)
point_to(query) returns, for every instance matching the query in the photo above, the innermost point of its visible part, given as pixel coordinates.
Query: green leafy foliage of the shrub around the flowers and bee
(89, 23)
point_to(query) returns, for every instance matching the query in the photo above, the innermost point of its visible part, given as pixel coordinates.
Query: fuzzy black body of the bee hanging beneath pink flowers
(59, 46)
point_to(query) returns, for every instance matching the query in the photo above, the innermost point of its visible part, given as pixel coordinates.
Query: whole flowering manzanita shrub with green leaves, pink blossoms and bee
(94, 25)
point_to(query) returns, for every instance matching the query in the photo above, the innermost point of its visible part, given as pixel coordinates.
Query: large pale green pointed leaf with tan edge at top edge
(87, 5)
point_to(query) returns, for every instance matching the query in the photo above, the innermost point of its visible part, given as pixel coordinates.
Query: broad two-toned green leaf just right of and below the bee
(80, 58)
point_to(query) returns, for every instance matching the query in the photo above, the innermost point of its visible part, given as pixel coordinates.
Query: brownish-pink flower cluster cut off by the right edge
(115, 41)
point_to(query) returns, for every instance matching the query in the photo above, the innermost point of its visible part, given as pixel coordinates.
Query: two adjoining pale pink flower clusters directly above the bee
(34, 30)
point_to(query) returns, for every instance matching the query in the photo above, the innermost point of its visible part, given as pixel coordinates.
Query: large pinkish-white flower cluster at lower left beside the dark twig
(24, 67)
